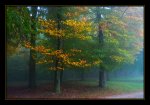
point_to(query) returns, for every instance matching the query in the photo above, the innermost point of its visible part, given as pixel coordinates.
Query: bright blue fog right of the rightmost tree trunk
(130, 71)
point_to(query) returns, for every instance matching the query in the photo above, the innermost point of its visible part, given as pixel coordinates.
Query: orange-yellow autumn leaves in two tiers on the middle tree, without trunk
(71, 29)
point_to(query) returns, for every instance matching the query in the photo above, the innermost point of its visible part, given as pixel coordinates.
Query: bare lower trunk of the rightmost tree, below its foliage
(102, 78)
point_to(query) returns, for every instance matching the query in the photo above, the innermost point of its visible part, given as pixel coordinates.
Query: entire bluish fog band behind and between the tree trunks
(17, 71)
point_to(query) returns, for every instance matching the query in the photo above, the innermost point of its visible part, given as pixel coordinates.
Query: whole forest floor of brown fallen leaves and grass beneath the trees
(75, 90)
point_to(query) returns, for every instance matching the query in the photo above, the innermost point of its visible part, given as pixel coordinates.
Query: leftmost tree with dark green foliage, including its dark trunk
(22, 27)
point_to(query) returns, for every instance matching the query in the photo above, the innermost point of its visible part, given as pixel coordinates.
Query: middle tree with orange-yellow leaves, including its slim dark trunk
(60, 29)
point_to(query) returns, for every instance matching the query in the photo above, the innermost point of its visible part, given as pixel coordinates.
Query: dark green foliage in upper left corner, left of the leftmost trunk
(17, 26)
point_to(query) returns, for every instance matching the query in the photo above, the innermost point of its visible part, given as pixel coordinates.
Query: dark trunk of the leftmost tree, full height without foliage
(32, 72)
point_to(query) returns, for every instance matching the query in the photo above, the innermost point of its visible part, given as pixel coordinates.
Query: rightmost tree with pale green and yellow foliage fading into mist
(114, 31)
